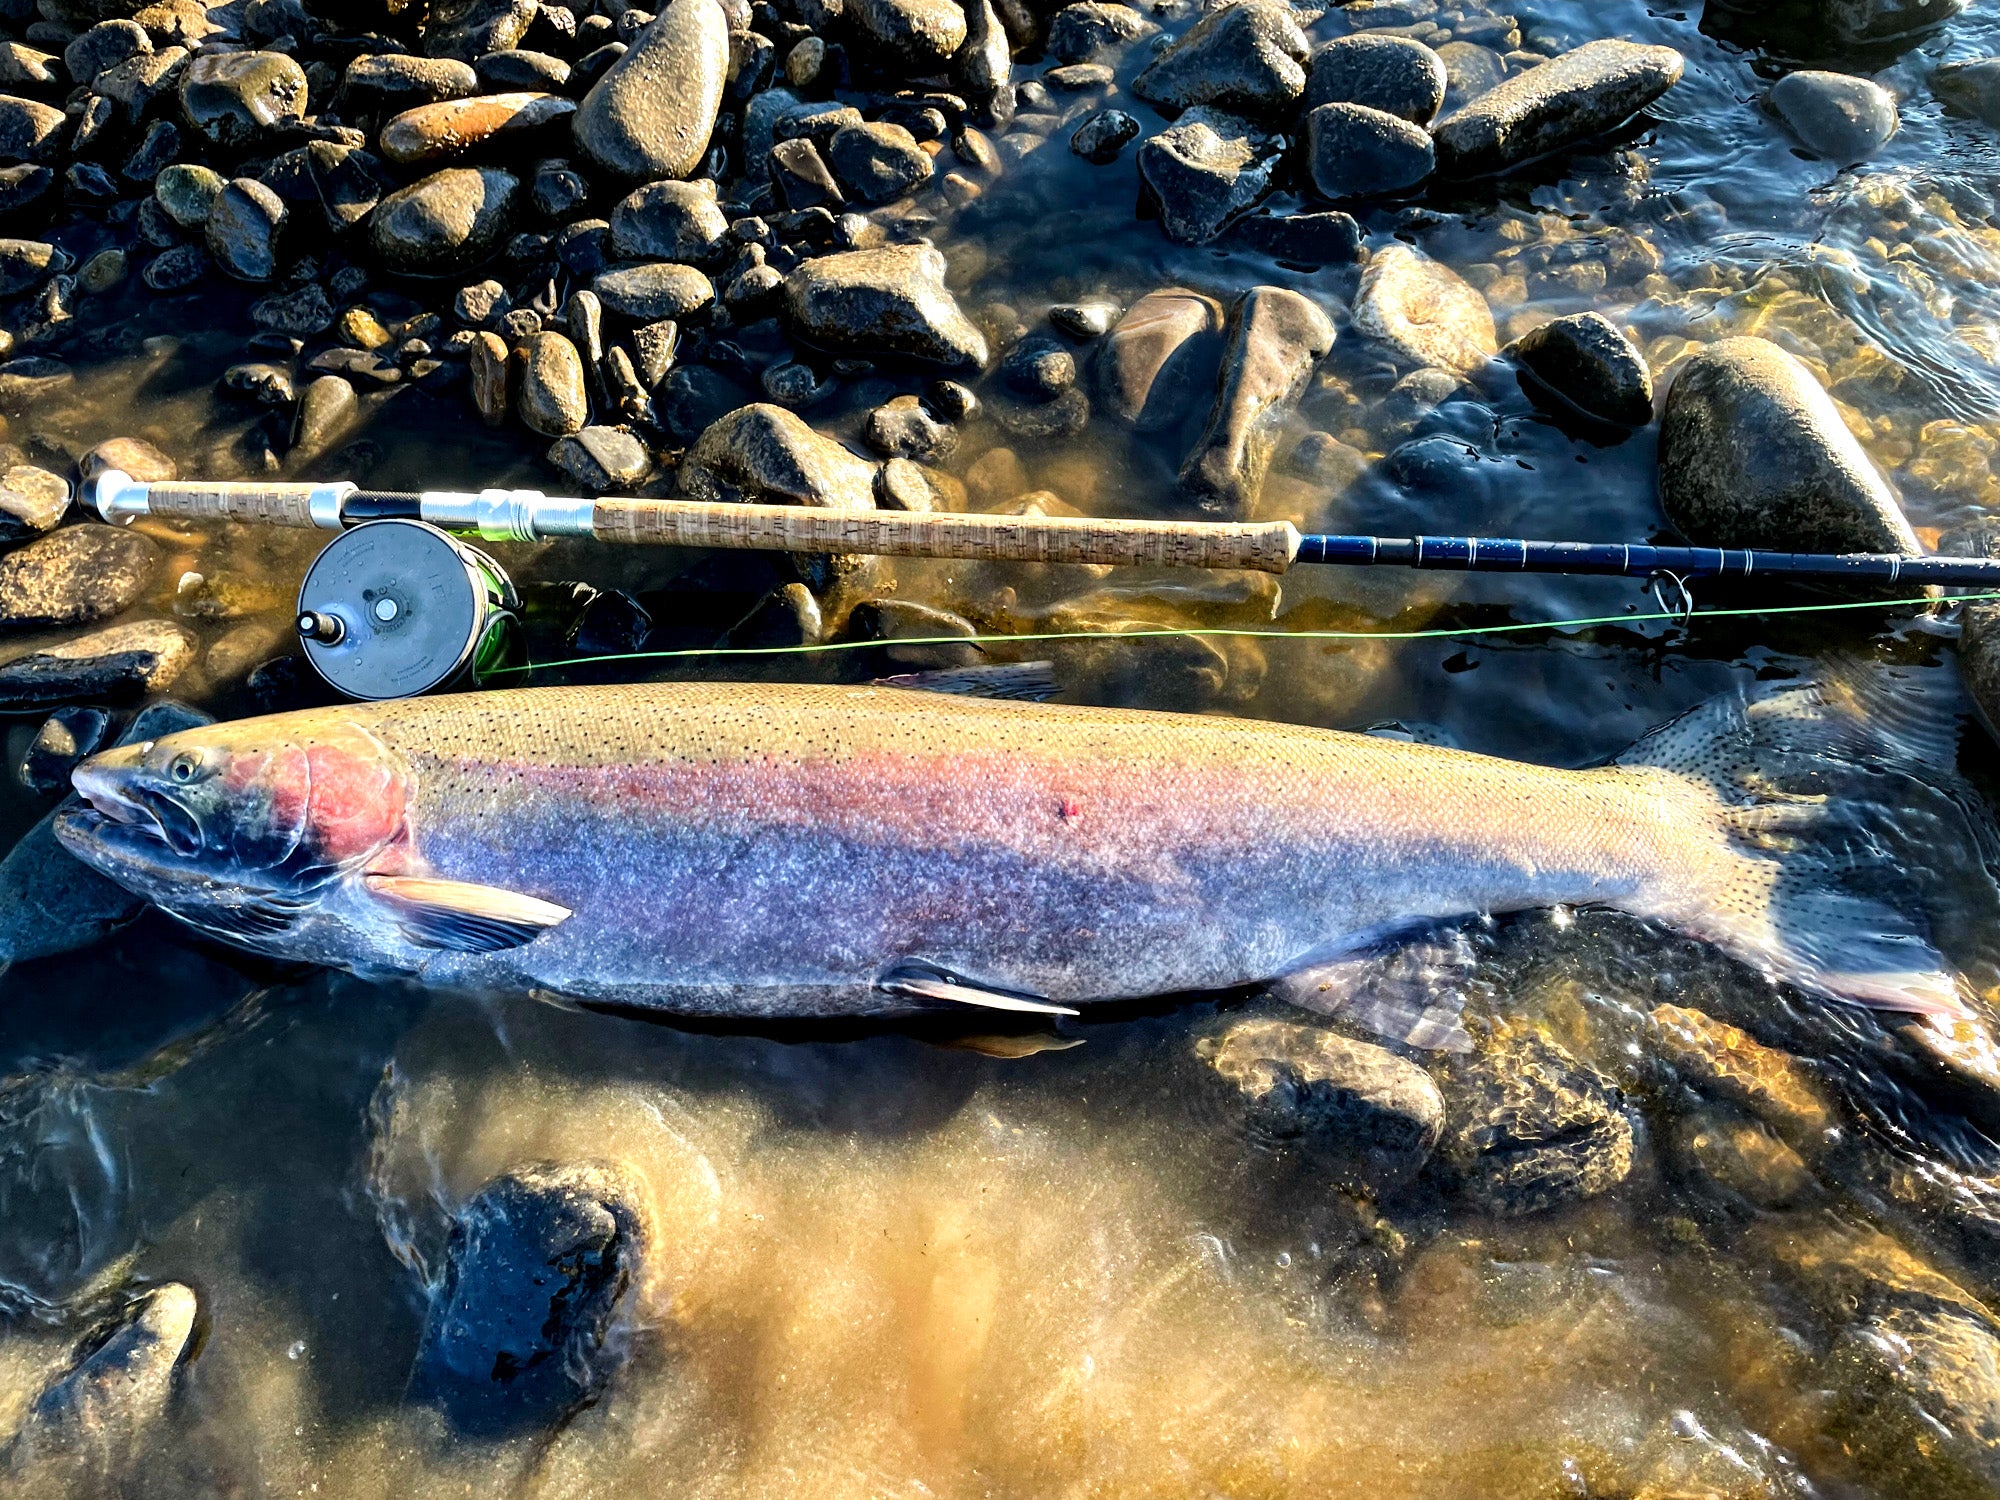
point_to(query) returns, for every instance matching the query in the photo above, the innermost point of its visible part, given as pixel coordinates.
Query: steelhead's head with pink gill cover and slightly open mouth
(237, 827)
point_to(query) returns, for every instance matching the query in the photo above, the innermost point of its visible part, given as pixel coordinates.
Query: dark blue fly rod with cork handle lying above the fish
(1267, 547)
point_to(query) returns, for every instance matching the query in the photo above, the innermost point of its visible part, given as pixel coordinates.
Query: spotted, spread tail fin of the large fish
(1833, 803)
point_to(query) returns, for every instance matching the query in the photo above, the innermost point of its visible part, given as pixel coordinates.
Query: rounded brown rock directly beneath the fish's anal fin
(1357, 1113)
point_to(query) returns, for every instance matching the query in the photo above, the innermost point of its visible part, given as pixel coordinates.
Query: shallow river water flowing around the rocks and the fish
(885, 1265)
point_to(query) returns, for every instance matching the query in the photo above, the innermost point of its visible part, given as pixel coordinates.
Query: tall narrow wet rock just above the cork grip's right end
(1275, 343)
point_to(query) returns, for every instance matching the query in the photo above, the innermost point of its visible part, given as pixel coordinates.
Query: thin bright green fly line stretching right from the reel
(1241, 633)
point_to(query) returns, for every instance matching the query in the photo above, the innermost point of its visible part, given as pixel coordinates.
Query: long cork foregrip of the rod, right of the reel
(1265, 547)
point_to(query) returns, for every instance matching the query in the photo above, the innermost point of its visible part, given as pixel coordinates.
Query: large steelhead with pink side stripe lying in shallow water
(865, 851)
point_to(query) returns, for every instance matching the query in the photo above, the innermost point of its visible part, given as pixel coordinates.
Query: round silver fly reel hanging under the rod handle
(393, 609)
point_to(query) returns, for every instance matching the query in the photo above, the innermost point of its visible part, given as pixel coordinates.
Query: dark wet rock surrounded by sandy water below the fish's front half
(537, 1269)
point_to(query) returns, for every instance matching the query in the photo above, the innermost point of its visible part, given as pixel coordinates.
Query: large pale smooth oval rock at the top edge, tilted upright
(653, 113)
